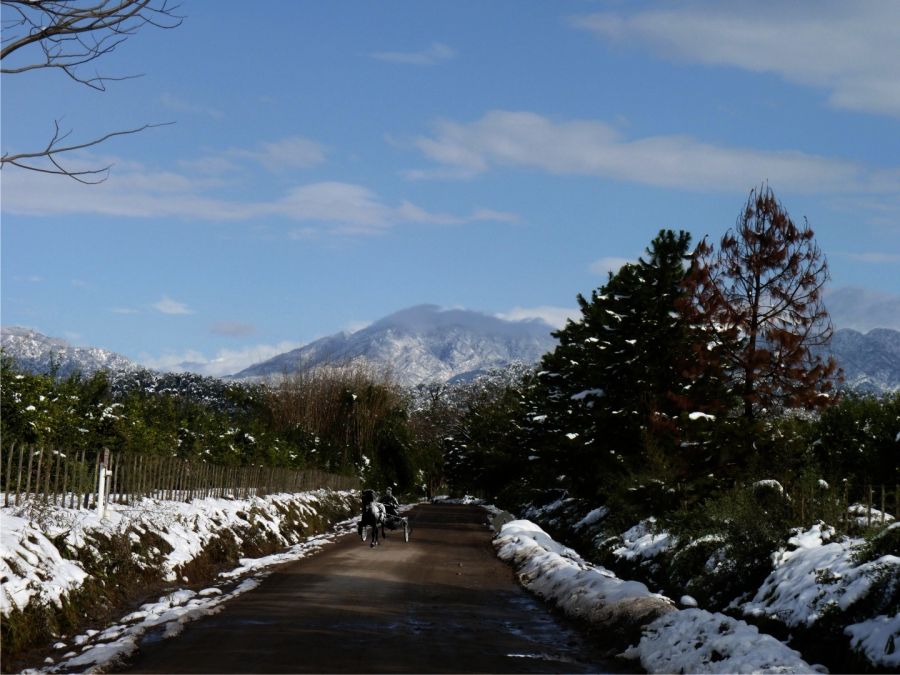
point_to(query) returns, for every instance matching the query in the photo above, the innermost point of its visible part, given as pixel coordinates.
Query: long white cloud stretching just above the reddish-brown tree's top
(595, 148)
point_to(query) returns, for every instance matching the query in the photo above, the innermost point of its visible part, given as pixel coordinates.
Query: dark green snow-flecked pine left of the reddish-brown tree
(613, 389)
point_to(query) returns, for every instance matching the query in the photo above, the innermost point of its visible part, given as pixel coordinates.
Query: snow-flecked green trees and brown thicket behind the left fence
(344, 419)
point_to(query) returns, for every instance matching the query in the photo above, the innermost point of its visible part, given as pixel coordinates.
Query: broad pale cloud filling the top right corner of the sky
(850, 49)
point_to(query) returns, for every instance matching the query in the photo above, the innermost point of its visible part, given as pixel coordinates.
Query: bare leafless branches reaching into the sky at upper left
(68, 35)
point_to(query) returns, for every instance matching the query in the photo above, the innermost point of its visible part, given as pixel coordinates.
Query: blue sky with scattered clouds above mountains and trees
(331, 163)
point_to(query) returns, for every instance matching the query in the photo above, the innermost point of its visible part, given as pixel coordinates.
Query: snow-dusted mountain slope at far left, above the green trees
(34, 352)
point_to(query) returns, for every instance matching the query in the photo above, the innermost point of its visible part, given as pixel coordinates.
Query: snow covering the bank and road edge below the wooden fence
(33, 570)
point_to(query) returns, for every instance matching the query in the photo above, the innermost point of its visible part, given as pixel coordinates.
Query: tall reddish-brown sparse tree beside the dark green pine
(760, 295)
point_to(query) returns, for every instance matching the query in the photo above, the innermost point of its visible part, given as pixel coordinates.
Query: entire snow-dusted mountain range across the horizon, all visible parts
(426, 343)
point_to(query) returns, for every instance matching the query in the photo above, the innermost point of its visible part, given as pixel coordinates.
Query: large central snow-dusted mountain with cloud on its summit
(422, 344)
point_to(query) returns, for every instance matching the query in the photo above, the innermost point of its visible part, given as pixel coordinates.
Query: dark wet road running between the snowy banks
(441, 603)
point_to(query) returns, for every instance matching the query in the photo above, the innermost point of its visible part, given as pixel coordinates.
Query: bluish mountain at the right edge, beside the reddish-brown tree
(871, 361)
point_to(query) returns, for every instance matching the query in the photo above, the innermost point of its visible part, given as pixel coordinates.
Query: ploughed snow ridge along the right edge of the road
(689, 641)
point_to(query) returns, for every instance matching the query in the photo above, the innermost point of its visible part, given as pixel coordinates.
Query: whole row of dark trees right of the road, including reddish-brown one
(690, 372)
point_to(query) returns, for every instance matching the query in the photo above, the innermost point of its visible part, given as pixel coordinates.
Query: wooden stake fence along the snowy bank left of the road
(71, 479)
